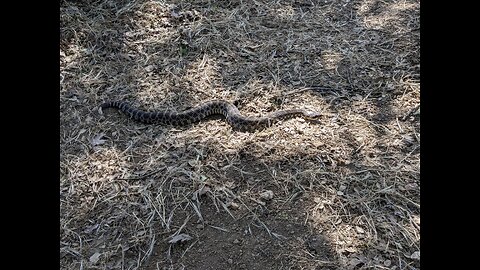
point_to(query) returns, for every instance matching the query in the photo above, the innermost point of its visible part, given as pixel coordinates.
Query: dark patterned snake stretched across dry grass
(214, 107)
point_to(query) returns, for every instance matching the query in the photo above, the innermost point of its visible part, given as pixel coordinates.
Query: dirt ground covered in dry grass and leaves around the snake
(346, 189)
